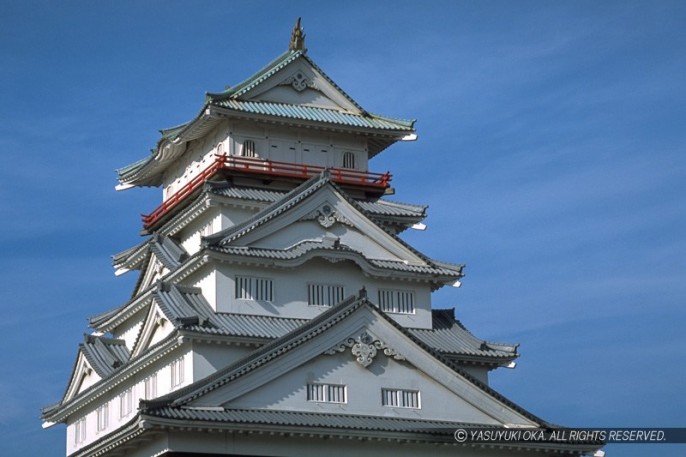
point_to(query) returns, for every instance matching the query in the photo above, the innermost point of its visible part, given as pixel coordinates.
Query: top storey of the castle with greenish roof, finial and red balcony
(278, 128)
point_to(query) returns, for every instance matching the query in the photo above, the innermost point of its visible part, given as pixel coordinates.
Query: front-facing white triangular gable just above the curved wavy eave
(317, 200)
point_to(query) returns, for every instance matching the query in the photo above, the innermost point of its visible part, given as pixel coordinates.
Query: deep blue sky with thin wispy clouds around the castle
(551, 152)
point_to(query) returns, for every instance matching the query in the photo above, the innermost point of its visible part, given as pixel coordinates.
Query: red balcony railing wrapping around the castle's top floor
(256, 166)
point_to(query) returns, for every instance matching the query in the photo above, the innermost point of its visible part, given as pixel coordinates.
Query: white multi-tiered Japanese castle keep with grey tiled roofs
(277, 311)
